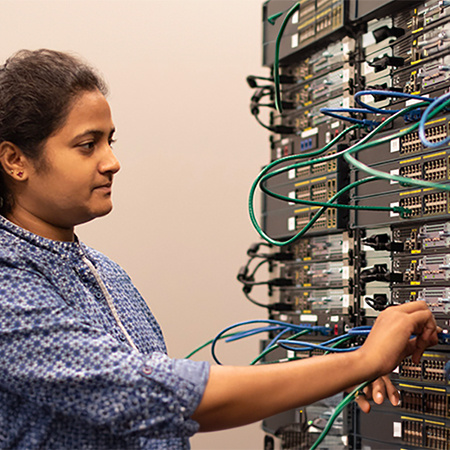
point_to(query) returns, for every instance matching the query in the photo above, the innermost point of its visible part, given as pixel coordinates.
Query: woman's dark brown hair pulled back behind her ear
(37, 90)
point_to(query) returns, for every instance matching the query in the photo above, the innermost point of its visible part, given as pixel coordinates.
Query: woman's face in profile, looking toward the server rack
(74, 184)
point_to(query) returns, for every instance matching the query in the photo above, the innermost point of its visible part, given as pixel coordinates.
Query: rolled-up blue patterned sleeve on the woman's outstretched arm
(54, 356)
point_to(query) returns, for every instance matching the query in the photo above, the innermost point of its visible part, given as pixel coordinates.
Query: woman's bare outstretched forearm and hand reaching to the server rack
(236, 396)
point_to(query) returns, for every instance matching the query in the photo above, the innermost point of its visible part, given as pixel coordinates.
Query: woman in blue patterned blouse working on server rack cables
(84, 363)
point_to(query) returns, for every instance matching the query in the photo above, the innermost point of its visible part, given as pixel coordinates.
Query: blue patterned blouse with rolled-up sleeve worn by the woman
(83, 360)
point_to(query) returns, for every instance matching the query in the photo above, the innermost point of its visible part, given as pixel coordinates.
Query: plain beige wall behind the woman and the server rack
(189, 151)
